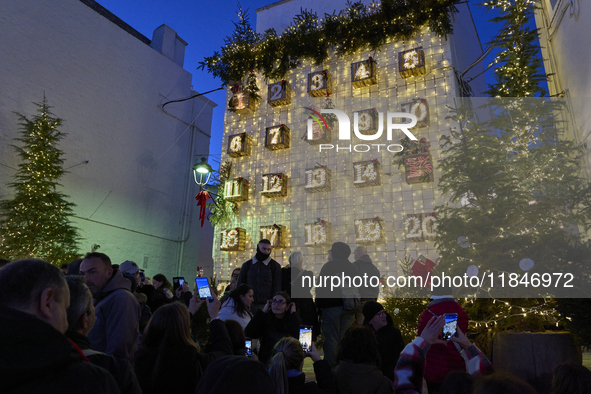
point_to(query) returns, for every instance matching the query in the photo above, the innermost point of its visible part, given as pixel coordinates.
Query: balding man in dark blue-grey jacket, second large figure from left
(117, 310)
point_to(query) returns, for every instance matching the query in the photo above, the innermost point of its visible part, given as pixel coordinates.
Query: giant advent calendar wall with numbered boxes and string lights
(301, 195)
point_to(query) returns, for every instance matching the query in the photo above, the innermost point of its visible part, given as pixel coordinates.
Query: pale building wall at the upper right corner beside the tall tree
(565, 42)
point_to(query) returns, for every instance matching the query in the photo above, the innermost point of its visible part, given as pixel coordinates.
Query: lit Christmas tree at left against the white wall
(35, 223)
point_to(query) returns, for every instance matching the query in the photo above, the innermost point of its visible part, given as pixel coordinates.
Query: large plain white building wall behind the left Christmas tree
(135, 195)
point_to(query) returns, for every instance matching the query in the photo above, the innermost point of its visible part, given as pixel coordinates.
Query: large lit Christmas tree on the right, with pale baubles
(517, 198)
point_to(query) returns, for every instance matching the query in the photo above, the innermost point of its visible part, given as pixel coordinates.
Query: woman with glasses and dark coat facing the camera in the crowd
(278, 319)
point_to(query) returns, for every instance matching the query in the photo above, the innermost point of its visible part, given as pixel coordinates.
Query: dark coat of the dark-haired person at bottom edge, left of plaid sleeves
(353, 378)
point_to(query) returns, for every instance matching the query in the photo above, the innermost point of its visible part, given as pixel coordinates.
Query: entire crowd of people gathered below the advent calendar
(98, 327)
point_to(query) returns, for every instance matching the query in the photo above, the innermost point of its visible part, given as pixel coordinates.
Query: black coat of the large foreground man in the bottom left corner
(36, 358)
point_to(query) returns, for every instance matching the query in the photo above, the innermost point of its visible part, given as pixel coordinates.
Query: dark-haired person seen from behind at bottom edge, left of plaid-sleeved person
(357, 372)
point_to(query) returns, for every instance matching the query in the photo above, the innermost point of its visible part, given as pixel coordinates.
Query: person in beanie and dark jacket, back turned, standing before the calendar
(336, 303)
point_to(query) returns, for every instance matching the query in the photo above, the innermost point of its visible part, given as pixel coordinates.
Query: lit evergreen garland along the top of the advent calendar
(311, 38)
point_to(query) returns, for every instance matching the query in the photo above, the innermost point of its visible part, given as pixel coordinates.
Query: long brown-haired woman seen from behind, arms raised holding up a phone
(170, 361)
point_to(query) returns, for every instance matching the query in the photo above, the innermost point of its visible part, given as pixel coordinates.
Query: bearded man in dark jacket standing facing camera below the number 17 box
(263, 274)
